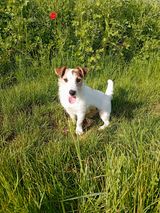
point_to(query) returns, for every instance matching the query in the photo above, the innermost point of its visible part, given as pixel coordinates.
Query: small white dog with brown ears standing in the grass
(77, 98)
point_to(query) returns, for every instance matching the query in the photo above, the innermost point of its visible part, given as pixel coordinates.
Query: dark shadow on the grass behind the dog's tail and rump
(122, 107)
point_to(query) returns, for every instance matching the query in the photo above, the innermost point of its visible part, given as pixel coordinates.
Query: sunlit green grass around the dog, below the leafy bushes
(45, 167)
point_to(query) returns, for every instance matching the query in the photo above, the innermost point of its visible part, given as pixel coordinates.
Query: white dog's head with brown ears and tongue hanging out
(71, 80)
